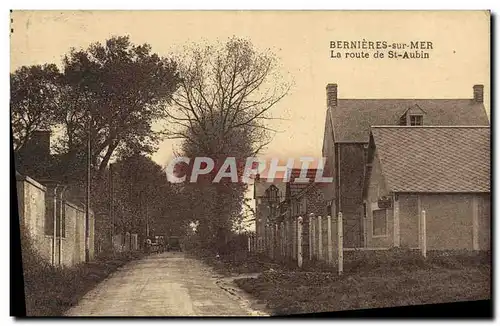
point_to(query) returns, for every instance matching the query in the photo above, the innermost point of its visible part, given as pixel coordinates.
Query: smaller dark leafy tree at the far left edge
(35, 96)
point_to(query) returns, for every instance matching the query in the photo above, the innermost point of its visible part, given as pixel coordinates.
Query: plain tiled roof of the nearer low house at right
(433, 159)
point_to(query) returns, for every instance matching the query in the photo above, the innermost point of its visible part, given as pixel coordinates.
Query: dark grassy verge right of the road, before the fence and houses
(370, 280)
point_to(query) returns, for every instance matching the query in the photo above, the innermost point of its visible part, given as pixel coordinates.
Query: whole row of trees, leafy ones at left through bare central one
(215, 98)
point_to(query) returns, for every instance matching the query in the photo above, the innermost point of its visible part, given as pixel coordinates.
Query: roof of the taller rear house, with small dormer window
(352, 118)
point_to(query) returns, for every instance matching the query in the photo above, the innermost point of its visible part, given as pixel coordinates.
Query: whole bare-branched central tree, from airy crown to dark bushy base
(221, 110)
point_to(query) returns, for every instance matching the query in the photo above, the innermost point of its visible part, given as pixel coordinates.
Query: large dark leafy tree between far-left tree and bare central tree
(118, 90)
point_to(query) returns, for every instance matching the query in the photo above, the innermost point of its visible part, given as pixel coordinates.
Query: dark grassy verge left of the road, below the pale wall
(50, 291)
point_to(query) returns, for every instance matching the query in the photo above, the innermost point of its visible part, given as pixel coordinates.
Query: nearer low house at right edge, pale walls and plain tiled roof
(442, 171)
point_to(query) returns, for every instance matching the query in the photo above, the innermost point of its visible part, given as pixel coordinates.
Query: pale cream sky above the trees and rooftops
(301, 40)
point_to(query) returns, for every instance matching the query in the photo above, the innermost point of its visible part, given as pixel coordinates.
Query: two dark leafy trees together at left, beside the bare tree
(111, 93)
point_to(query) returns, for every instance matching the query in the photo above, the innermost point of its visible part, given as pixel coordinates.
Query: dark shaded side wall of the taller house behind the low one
(352, 172)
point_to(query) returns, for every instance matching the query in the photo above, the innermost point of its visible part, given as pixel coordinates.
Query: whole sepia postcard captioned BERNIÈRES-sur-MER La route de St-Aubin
(251, 163)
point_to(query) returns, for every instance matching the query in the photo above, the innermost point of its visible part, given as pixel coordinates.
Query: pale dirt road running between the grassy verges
(167, 284)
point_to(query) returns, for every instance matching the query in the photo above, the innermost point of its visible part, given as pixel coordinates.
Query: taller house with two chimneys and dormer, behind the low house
(347, 136)
